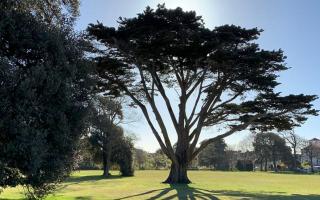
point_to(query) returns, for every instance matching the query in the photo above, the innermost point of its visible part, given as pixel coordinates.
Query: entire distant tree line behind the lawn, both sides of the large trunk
(260, 151)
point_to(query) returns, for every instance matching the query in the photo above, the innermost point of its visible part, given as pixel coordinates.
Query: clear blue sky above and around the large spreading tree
(292, 25)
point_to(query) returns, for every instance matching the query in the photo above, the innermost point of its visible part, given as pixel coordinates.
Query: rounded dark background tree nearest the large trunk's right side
(214, 156)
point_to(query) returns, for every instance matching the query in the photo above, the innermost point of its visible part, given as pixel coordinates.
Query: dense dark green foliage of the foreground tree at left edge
(43, 90)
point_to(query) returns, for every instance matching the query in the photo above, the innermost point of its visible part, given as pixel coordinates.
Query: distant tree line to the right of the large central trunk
(262, 151)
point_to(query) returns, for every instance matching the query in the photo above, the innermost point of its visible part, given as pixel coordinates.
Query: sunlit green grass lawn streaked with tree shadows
(86, 185)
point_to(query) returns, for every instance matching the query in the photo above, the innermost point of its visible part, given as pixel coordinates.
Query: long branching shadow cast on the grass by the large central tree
(186, 192)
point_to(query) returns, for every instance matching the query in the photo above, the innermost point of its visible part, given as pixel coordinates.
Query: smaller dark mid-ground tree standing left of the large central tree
(107, 140)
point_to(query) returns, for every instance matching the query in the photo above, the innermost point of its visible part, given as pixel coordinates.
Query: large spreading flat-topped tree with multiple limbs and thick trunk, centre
(221, 76)
